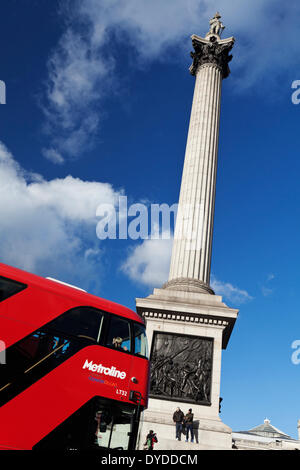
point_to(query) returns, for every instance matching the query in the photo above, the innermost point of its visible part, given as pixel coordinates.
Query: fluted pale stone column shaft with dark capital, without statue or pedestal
(192, 247)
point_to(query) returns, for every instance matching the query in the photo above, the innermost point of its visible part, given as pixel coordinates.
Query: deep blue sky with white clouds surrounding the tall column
(98, 104)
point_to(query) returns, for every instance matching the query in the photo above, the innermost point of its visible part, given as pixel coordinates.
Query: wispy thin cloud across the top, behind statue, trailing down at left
(81, 69)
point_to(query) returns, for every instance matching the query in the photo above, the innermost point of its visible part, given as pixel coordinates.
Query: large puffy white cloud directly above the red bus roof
(48, 227)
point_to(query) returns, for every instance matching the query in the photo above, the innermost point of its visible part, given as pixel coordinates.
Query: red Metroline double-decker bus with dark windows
(74, 368)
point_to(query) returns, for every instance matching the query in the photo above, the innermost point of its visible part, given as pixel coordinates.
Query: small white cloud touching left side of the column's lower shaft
(149, 262)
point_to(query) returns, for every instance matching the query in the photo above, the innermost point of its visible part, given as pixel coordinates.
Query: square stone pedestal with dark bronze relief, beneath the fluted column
(186, 319)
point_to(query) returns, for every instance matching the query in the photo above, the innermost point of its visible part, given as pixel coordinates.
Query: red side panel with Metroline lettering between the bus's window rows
(34, 413)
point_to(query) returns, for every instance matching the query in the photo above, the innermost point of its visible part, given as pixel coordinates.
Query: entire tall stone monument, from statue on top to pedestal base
(187, 324)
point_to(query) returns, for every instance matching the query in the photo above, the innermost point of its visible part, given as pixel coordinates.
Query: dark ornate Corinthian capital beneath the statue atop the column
(211, 50)
